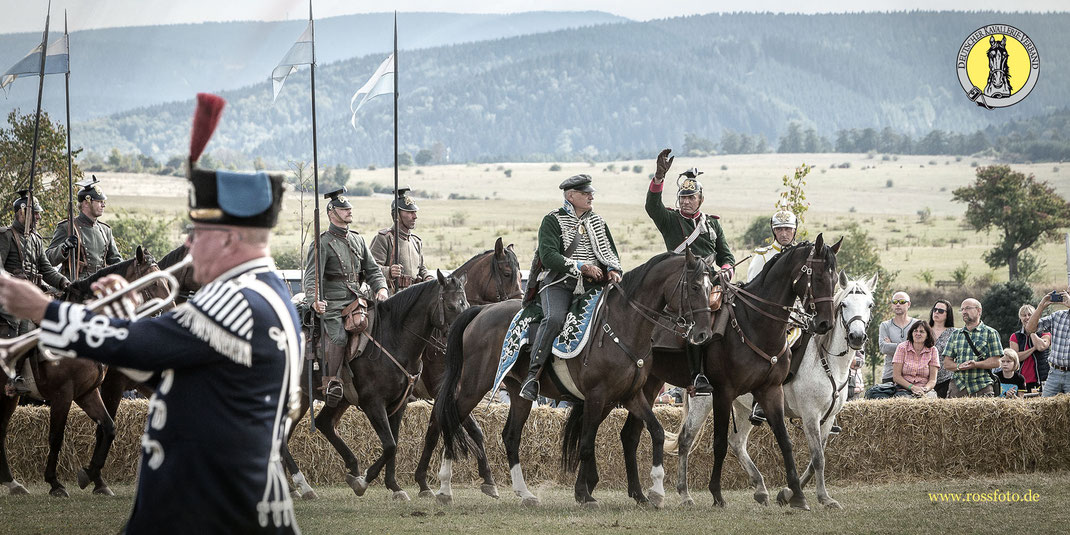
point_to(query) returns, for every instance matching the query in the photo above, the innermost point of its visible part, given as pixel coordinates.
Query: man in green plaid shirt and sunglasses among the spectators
(972, 354)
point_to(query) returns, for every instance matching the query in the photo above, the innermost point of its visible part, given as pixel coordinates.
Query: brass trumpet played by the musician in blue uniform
(14, 349)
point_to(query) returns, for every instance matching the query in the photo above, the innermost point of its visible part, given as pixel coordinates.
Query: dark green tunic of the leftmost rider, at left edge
(24, 257)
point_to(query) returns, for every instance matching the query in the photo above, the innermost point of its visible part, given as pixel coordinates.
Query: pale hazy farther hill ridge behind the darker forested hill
(121, 69)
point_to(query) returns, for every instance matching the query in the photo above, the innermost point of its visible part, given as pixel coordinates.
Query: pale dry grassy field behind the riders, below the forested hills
(747, 187)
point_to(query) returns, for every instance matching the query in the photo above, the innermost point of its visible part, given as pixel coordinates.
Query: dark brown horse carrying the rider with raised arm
(754, 357)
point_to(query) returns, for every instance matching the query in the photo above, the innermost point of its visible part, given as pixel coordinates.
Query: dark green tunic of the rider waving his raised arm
(676, 228)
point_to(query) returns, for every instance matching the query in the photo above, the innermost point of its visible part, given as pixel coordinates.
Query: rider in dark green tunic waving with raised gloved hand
(690, 228)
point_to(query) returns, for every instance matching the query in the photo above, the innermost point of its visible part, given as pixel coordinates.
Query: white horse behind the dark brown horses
(816, 395)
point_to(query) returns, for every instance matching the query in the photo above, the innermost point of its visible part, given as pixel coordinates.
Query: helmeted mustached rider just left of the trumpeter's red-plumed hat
(93, 240)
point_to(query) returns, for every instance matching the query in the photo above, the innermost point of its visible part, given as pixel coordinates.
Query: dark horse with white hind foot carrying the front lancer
(384, 378)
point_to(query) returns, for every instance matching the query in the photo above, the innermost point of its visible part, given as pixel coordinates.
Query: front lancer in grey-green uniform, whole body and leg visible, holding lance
(345, 265)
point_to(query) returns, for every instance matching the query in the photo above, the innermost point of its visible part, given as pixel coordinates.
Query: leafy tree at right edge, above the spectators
(1027, 211)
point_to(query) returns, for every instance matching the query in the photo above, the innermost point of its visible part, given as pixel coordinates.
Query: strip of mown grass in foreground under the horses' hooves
(900, 508)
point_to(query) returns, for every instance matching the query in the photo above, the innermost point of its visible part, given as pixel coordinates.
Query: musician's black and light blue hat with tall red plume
(227, 197)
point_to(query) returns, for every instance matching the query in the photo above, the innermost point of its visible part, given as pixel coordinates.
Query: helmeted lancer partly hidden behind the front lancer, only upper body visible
(408, 268)
